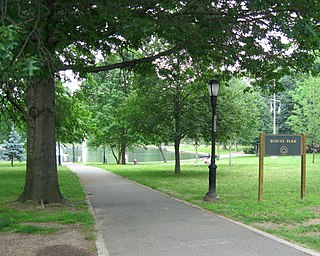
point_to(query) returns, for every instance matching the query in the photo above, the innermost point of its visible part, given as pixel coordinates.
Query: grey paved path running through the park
(136, 220)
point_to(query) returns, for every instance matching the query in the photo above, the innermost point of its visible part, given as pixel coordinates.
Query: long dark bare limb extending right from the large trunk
(125, 64)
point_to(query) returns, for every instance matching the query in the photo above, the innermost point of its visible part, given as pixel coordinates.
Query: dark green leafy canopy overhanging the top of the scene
(251, 36)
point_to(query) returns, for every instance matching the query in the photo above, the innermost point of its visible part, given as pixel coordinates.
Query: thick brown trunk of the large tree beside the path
(41, 178)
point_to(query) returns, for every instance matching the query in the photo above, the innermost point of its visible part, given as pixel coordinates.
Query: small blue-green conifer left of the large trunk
(14, 147)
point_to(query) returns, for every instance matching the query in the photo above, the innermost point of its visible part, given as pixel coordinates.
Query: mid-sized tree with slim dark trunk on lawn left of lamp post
(167, 106)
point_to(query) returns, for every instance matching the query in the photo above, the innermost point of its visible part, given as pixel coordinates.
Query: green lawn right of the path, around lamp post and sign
(282, 212)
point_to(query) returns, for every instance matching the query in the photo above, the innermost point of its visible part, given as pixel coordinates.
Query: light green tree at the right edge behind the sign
(306, 112)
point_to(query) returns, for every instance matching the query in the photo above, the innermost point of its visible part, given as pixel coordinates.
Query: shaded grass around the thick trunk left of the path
(22, 218)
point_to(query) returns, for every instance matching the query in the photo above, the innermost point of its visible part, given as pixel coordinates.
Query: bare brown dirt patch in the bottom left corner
(68, 241)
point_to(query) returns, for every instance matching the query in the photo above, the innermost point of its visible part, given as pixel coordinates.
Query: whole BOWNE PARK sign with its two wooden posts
(282, 145)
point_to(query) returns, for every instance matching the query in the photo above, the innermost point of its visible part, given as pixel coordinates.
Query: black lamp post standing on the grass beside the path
(212, 196)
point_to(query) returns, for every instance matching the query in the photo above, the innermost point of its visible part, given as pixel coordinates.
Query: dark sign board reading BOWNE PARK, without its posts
(283, 145)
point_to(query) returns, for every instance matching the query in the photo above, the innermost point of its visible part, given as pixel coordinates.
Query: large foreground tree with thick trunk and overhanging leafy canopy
(41, 38)
